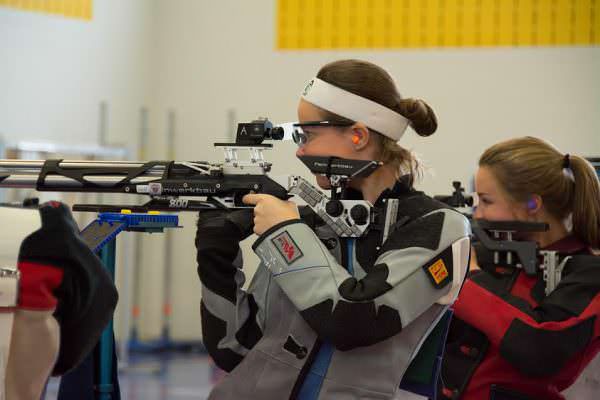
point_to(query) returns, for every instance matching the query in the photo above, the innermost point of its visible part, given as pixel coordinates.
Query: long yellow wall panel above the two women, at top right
(381, 24)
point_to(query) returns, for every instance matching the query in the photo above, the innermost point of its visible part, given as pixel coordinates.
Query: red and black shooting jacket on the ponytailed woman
(508, 337)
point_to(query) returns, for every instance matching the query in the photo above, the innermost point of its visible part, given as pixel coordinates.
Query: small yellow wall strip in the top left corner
(80, 9)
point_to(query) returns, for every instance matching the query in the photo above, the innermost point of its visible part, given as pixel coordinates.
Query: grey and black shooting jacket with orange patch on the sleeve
(324, 317)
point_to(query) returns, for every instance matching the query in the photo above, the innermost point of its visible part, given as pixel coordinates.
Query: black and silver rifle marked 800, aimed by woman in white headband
(170, 184)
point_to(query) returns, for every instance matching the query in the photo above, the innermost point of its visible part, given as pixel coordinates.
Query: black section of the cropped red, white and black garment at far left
(86, 296)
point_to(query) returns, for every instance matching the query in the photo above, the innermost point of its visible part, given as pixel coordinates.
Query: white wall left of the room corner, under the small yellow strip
(55, 71)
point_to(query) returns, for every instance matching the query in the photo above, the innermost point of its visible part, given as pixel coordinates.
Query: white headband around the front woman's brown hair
(356, 108)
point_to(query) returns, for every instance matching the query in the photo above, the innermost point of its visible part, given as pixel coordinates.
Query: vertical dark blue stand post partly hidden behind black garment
(105, 385)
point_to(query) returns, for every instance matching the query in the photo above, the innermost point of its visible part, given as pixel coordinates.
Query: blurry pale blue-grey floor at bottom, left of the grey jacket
(161, 377)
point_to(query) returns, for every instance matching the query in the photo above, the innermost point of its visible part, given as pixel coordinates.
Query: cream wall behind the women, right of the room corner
(214, 57)
